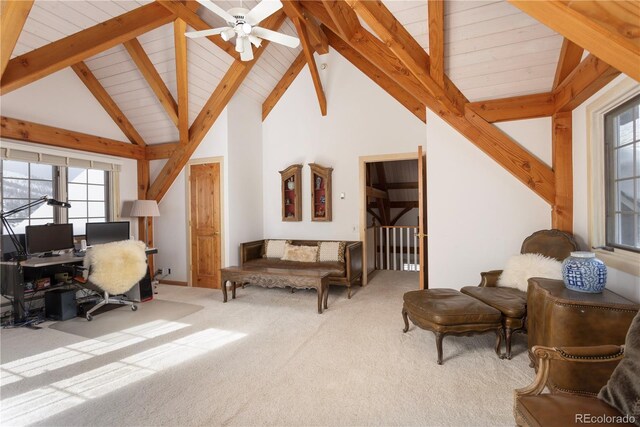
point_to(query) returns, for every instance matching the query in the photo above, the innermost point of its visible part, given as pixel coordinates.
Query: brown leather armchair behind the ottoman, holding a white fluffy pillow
(513, 302)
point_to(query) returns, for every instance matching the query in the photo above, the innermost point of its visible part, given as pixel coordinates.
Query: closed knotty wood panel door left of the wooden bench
(204, 187)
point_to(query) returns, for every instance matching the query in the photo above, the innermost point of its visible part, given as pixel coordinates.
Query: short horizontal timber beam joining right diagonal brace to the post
(515, 108)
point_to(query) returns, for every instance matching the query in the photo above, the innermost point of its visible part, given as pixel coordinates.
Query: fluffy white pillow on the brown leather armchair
(522, 267)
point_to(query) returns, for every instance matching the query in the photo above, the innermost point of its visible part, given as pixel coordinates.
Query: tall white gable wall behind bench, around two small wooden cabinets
(362, 120)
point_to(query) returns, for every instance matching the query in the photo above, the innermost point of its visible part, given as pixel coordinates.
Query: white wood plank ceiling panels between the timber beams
(492, 50)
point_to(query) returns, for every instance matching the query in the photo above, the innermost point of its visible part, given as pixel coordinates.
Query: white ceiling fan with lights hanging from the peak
(243, 24)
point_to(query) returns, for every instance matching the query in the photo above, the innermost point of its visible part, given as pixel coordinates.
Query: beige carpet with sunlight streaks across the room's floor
(266, 358)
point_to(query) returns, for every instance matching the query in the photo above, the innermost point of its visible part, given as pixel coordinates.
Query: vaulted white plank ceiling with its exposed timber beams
(470, 62)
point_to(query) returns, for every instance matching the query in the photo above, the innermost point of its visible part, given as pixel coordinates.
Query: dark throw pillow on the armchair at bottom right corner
(622, 391)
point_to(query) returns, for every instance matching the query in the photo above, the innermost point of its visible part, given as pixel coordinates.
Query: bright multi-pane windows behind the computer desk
(86, 189)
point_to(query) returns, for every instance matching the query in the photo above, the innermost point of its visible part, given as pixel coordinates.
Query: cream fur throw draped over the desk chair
(117, 266)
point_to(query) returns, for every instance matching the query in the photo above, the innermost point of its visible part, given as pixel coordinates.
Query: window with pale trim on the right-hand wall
(613, 125)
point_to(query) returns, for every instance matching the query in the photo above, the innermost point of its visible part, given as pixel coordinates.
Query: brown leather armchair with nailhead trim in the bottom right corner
(588, 366)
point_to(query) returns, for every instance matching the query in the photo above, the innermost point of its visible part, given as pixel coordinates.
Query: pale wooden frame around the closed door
(204, 160)
